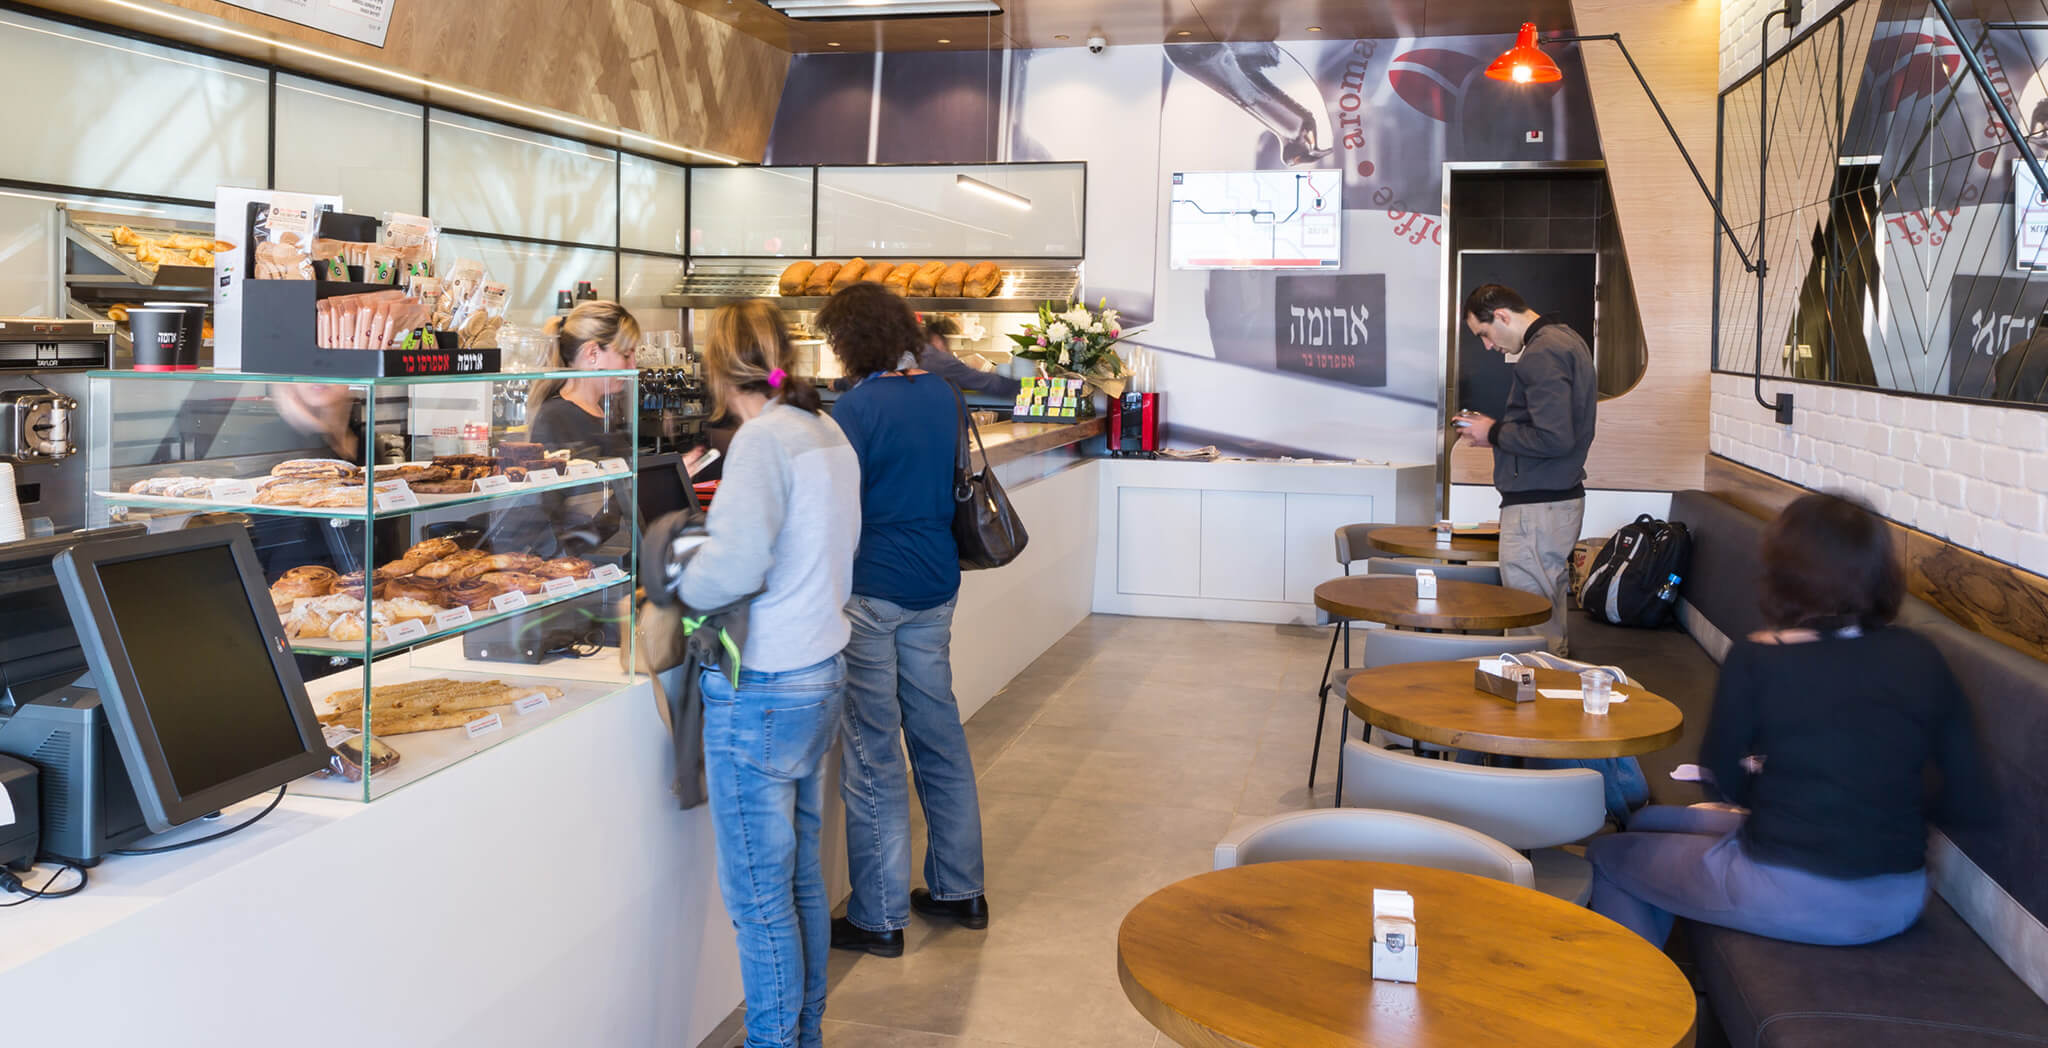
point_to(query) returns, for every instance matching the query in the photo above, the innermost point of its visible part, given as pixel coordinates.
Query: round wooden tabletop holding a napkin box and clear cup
(1439, 703)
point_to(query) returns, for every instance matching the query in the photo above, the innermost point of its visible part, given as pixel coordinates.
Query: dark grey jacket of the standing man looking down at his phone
(1541, 439)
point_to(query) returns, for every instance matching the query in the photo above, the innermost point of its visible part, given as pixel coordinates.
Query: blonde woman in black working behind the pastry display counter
(585, 414)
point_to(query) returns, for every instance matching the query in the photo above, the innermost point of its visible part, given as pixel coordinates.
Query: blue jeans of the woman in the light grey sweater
(765, 767)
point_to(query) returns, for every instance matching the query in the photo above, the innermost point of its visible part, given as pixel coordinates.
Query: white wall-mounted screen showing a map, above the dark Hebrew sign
(1256, 220)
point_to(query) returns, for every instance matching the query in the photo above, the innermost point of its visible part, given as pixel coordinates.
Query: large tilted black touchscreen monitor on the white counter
(194, 670)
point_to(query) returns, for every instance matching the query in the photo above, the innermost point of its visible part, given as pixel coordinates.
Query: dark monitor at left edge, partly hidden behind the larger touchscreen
(38, 646)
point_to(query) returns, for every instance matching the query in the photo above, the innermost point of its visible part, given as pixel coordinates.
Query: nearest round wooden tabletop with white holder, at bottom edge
(1281, 957)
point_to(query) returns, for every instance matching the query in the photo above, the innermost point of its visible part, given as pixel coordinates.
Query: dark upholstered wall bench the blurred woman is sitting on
(1938, 986)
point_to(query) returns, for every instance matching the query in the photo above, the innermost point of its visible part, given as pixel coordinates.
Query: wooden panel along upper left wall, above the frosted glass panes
(650, 67)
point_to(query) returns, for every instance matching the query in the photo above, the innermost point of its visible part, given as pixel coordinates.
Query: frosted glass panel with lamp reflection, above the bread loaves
(925, 212)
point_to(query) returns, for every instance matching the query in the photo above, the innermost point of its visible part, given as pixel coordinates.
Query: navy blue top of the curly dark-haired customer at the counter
(906, 433)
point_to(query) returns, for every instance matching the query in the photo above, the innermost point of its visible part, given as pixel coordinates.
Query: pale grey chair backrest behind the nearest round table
(1373, 836)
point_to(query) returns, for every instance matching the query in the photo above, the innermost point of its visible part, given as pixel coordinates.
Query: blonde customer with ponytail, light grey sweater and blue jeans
(783, 535)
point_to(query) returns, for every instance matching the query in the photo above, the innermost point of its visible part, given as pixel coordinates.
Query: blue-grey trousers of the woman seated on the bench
(1691, 863)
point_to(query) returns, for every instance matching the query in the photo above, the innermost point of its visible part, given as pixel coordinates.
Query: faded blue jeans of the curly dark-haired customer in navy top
(900, 683)
